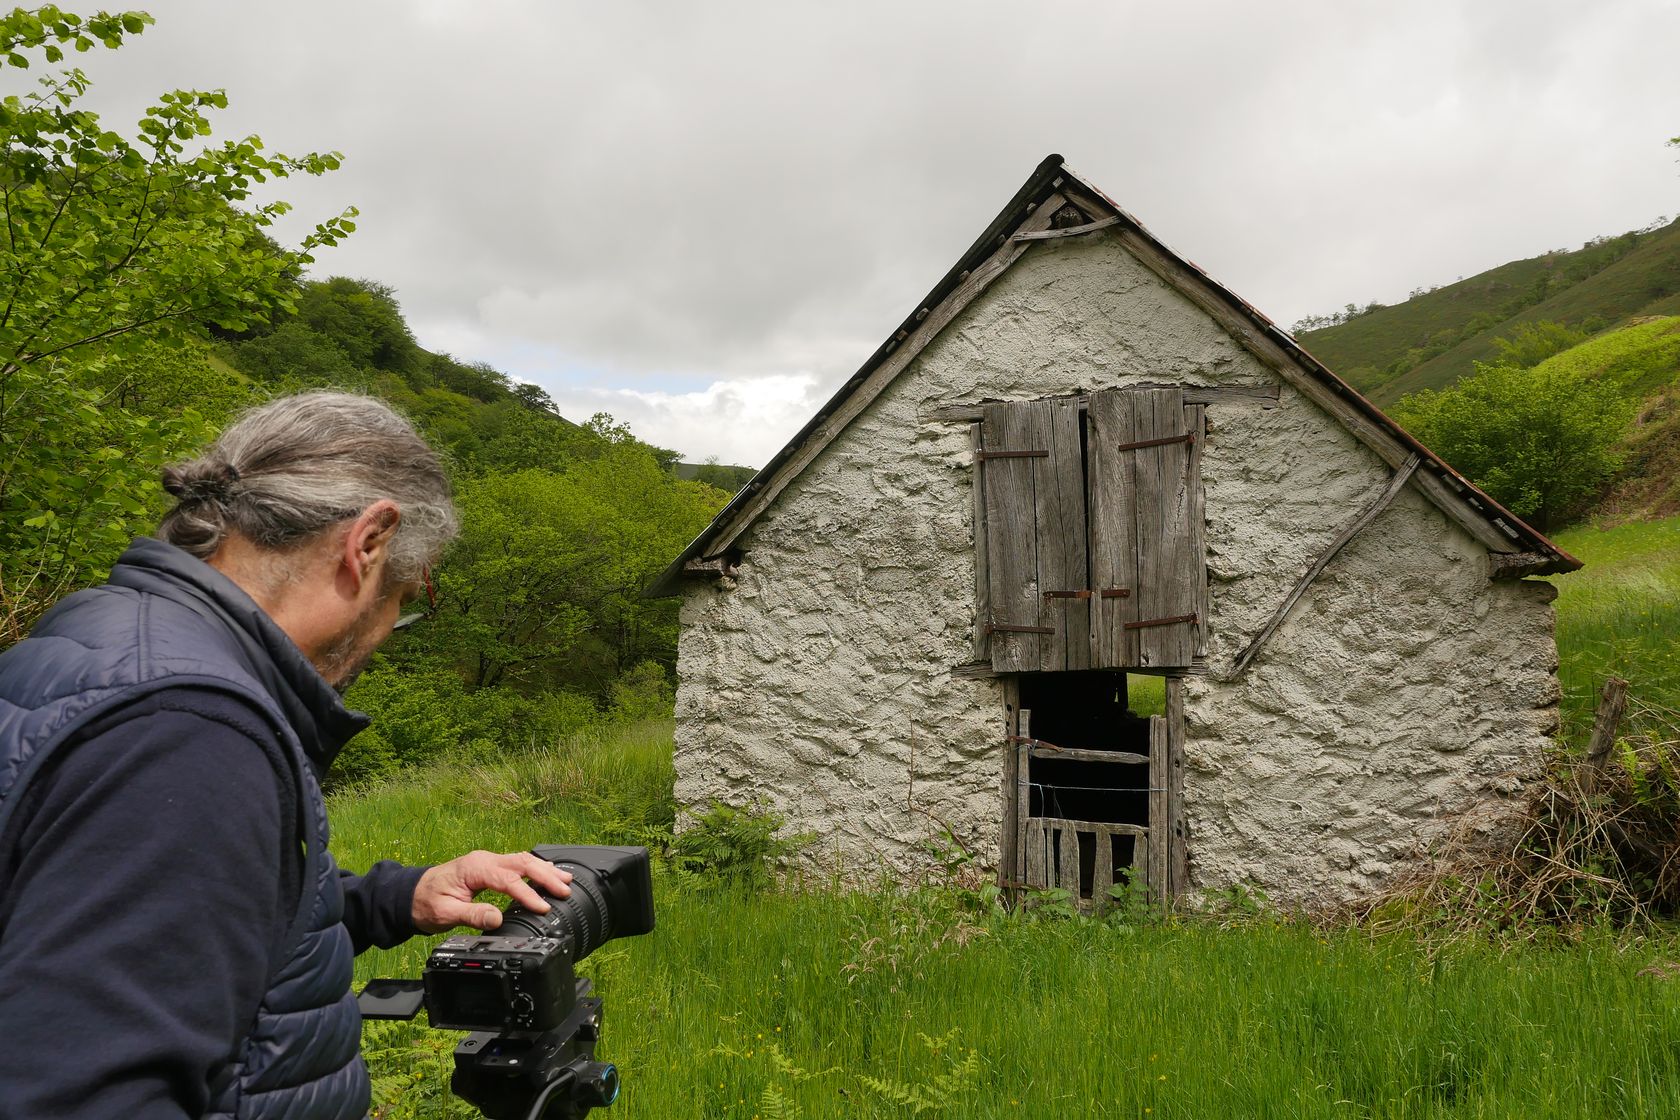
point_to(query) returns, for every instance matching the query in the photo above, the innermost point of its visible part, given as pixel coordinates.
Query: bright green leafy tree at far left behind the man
(115, 249)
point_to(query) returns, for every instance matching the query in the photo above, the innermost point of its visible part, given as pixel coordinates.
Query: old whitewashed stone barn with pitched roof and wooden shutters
(1100, 570)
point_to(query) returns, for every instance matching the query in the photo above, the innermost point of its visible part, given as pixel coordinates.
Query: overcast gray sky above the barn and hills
(701, 217)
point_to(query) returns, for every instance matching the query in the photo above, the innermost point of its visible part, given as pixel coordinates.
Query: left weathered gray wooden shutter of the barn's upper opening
(1037, 577)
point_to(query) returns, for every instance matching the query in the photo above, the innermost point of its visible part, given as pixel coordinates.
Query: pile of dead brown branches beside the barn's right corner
(1597, 844)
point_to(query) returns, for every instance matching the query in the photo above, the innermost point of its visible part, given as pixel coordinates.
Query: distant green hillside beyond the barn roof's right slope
(1434, 338)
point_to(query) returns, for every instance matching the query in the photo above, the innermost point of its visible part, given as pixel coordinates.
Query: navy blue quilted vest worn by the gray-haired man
(167, 620)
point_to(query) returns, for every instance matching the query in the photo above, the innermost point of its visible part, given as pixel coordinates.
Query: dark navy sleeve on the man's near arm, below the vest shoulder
(140, 894)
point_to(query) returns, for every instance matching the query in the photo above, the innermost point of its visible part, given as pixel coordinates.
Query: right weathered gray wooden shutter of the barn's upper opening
(1148, 567)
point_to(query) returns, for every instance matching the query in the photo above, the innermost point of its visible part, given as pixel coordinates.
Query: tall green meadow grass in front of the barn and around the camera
(827, 1003)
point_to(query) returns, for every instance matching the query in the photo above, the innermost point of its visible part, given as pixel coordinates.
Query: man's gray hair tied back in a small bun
(290, 469)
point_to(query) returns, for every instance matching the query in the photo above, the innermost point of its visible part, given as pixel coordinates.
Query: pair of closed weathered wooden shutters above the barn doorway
(1089, 533)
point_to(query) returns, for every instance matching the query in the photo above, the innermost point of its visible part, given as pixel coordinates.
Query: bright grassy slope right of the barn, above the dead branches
(1620, 617)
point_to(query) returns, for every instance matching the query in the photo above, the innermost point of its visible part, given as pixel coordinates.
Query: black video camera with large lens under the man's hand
(535, 1025)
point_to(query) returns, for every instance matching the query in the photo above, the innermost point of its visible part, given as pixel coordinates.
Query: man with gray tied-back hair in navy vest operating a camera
(176, 939)
